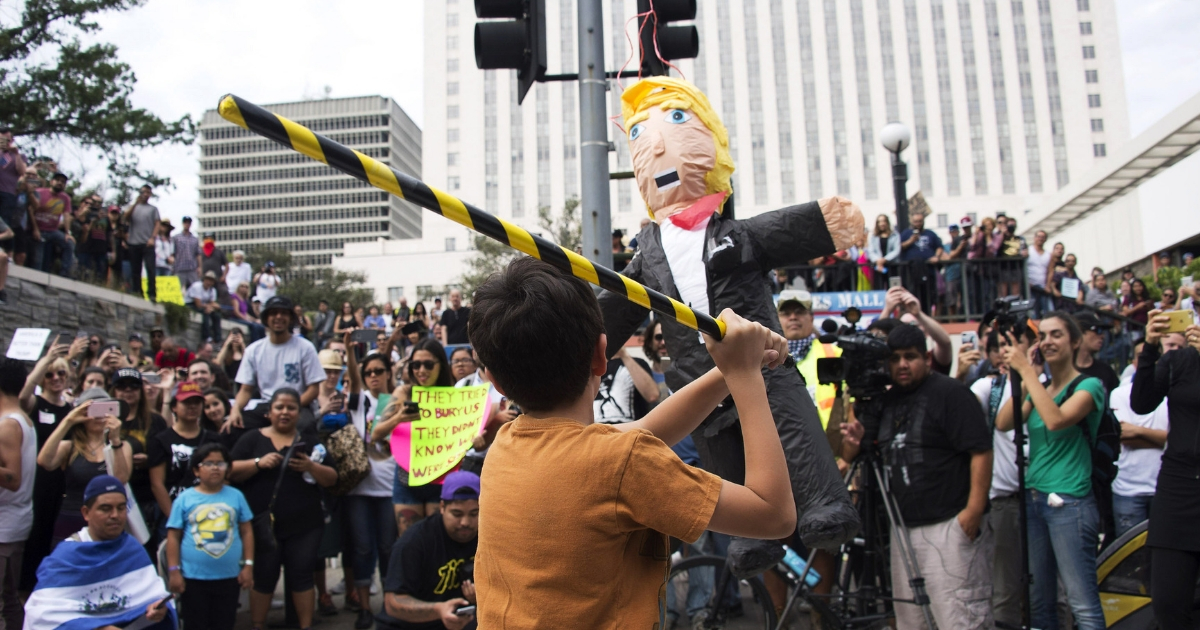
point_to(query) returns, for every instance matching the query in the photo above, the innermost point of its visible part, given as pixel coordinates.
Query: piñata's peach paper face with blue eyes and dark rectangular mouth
(673, 152)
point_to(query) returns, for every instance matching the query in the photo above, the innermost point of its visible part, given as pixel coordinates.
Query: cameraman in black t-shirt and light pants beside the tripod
(937, 452)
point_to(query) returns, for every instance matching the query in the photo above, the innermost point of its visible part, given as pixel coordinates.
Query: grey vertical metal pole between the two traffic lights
(595, 136)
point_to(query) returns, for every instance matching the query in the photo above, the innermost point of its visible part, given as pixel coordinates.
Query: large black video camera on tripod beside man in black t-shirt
(863, 363)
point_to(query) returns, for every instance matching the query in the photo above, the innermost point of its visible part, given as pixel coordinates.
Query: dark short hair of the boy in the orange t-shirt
(536, 329)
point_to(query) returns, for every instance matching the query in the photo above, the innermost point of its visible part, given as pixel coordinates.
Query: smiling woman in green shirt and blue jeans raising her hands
(1061, 512)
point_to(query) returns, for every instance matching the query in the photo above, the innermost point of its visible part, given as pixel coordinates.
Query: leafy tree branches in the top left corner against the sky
(53, 89)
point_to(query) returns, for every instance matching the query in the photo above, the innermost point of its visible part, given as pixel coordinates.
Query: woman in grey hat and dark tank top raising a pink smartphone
(77, 448)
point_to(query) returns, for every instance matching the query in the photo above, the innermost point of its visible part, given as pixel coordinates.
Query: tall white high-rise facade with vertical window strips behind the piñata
(1007, 101)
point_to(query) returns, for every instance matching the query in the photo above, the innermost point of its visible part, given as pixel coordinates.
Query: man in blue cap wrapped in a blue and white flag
(101, 577)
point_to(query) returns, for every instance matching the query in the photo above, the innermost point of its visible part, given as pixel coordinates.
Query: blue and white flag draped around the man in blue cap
(83, 586)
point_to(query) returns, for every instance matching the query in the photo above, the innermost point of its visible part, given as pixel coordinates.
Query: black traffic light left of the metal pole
(518, 43)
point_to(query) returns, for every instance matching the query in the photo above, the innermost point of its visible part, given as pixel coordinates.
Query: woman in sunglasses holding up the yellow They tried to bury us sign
(428, 368)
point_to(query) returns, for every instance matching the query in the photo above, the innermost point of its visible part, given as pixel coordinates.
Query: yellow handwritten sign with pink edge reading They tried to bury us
(451, 418)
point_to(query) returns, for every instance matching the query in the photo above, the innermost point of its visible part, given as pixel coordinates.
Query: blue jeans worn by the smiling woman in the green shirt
(1063, 545)
